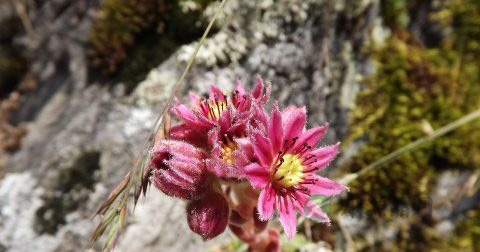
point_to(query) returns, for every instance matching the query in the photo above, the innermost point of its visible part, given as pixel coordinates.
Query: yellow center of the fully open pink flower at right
(290, 171)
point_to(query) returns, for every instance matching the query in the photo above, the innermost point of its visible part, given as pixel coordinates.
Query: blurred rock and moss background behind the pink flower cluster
(82, 81)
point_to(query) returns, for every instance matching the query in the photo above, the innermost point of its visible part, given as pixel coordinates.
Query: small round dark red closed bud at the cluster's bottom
(208, 216)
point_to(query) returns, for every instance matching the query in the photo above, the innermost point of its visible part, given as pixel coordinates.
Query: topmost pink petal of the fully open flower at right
(294, 120)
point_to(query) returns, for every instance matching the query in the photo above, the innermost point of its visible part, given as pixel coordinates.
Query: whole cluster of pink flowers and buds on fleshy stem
(236, 164)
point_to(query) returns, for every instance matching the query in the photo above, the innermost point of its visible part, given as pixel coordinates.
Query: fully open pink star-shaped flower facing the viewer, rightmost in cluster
(287, 166)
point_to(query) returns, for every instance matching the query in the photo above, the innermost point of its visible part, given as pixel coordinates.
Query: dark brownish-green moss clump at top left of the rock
(132, 36)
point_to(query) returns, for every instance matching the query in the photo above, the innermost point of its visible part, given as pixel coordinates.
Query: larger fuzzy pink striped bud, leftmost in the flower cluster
(178, 169)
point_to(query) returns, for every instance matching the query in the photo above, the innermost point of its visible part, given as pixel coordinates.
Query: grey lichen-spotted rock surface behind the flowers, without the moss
(48, 196)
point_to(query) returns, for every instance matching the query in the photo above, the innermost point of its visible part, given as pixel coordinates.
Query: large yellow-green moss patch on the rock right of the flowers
(415, 86)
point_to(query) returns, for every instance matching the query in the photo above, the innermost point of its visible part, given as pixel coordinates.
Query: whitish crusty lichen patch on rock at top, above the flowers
(245, 24)
